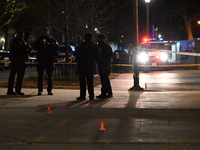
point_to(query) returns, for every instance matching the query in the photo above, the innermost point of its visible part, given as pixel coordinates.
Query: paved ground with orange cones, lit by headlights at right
(166, 115)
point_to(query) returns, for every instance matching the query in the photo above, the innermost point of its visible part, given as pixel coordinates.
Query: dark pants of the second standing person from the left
(49, 67)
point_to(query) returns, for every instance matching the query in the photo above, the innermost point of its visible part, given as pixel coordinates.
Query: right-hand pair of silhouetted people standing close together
(88, 55)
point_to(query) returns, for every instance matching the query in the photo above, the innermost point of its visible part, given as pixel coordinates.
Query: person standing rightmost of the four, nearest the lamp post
(104, 67)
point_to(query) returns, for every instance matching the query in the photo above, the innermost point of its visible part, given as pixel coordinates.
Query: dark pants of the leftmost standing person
(19, 69)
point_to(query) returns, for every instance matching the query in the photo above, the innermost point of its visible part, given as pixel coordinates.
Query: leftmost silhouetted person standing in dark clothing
(19, 51)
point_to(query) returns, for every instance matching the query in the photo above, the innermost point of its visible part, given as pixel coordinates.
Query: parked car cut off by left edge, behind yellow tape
(4, 59)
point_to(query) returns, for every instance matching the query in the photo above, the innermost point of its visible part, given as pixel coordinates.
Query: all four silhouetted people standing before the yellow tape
(89, 57)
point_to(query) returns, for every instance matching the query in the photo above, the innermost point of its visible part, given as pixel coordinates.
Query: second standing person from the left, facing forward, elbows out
(47, 52)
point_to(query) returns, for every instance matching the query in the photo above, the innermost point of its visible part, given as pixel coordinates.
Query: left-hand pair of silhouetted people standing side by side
(47, 52)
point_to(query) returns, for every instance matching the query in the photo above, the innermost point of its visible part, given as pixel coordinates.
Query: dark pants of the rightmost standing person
(105, 84)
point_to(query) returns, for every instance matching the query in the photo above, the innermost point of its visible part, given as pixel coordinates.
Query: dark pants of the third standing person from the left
(83, 79)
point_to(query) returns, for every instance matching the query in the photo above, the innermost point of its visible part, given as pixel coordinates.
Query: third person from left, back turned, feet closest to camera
(86, 54)
